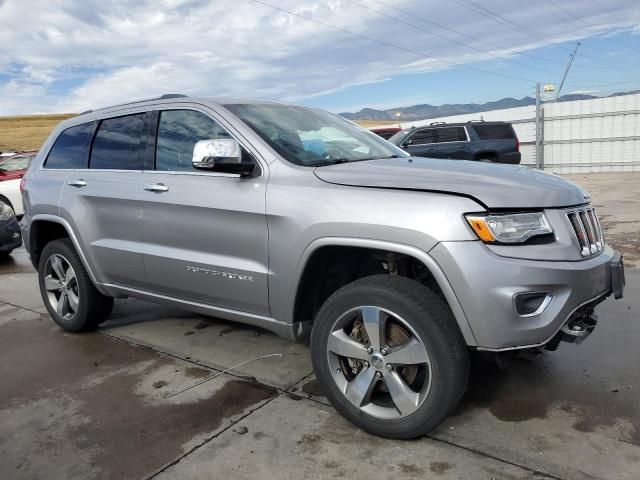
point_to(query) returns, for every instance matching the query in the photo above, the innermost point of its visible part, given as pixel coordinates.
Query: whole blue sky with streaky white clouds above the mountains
(340, 55)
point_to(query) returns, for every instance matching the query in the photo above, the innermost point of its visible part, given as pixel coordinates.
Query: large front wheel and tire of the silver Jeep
(419, 315)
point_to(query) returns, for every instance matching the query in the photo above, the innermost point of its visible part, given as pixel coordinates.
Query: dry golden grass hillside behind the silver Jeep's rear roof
(27, 132)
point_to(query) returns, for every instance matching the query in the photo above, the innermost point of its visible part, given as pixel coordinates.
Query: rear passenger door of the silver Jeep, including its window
(101, 200)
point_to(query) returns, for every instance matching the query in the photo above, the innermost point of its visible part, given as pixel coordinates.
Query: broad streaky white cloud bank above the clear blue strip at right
(78, 55)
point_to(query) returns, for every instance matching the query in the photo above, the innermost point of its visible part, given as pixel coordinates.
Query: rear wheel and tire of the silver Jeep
(86, 308)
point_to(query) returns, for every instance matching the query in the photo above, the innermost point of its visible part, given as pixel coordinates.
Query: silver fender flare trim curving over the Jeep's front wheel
(421, 255)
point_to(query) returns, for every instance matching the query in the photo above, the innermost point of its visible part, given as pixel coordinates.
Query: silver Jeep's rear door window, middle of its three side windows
(119, 143)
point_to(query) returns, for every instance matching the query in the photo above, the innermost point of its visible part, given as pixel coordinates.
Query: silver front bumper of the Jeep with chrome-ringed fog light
(487, 286)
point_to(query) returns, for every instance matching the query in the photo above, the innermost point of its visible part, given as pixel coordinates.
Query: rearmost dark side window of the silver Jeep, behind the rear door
(71, 148)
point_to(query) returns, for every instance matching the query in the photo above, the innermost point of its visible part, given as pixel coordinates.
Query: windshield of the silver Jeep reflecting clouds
(310, 137)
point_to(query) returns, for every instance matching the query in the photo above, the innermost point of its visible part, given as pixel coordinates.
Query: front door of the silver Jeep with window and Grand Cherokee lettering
(205, 232)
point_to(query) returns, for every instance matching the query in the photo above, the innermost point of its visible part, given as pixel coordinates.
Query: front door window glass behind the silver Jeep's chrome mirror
(178, 132)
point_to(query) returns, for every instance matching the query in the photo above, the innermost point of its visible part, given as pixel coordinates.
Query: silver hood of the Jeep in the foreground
(493, 185)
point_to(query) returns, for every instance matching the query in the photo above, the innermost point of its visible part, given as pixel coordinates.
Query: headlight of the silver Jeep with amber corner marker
(509, 228)
